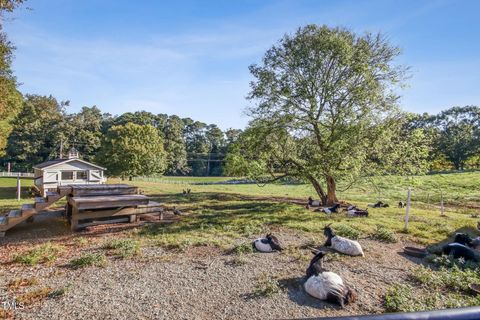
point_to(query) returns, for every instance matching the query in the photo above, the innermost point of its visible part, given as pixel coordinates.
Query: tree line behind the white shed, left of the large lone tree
(131, 144)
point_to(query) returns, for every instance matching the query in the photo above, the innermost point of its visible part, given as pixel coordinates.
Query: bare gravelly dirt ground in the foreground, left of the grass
(199, 283)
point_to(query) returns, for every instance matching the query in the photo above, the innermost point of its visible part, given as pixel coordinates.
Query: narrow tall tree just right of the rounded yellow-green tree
(175, 147)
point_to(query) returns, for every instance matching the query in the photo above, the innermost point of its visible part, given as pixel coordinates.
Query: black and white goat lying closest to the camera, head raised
(326, 285)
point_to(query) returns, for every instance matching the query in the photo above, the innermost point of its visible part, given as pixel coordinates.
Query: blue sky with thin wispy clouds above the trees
(191, 58)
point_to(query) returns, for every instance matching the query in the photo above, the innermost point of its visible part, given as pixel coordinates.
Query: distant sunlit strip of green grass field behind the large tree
(460, 189)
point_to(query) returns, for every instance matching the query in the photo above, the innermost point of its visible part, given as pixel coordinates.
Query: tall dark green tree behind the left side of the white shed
(37, 131)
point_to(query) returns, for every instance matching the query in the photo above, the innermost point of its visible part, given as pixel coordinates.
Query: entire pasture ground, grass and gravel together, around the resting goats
(216, 231)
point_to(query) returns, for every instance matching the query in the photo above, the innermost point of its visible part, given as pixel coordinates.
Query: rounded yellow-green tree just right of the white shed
(132, 150)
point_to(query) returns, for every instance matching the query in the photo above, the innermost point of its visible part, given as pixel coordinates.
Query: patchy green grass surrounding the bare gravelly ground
(227, 217)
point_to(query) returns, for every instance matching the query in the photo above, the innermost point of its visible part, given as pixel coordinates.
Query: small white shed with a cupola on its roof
(70, 171)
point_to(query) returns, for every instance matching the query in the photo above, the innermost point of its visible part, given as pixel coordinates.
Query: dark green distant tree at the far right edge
(458, 134)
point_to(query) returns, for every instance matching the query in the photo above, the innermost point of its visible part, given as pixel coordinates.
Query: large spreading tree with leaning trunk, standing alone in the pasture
(324, 100)
